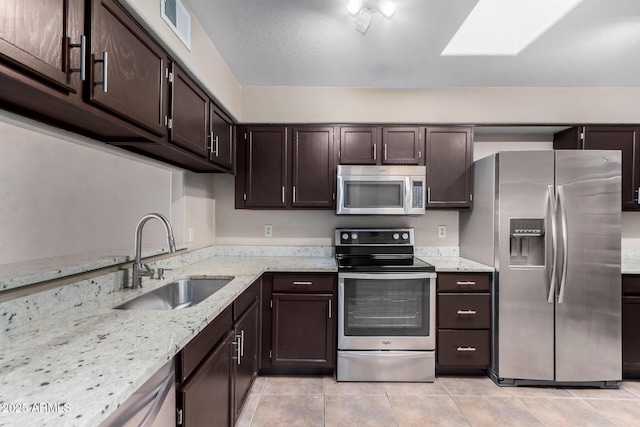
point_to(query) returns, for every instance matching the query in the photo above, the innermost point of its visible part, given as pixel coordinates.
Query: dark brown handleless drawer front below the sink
(195, 352)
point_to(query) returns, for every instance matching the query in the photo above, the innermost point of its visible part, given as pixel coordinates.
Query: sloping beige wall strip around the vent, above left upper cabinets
(203, 60)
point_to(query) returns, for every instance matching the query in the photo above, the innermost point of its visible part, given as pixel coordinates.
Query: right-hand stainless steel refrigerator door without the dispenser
(588, 303)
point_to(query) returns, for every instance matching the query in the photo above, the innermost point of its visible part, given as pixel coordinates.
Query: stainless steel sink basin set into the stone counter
(176, 295)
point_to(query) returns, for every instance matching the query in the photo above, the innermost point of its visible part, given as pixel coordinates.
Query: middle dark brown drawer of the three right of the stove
(464, 311)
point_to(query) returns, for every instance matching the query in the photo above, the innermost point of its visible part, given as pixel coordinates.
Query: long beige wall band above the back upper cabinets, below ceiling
(463, 105)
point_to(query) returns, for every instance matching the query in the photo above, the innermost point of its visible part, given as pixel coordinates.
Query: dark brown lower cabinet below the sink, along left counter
(216, 369)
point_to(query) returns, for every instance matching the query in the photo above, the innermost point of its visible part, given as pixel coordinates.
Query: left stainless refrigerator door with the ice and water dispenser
(525, 333)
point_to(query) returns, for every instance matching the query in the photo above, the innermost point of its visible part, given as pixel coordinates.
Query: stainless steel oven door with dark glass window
(386, 311)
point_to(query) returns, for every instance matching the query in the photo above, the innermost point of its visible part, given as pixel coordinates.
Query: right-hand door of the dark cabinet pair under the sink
(246, 355)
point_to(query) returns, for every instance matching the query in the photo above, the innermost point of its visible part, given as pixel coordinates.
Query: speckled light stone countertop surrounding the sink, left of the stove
(86, 360)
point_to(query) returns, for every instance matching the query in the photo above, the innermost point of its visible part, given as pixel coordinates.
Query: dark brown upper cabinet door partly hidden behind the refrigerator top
(619, 138)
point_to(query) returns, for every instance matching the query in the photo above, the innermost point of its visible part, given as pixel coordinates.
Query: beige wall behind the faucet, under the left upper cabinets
(64, 194)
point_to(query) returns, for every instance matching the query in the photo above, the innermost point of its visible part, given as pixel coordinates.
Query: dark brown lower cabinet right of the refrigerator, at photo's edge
(630, 329)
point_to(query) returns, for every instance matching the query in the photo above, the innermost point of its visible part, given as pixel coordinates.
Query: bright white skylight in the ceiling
(506, 27)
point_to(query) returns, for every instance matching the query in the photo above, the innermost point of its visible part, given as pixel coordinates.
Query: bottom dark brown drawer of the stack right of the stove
(463, 348)
